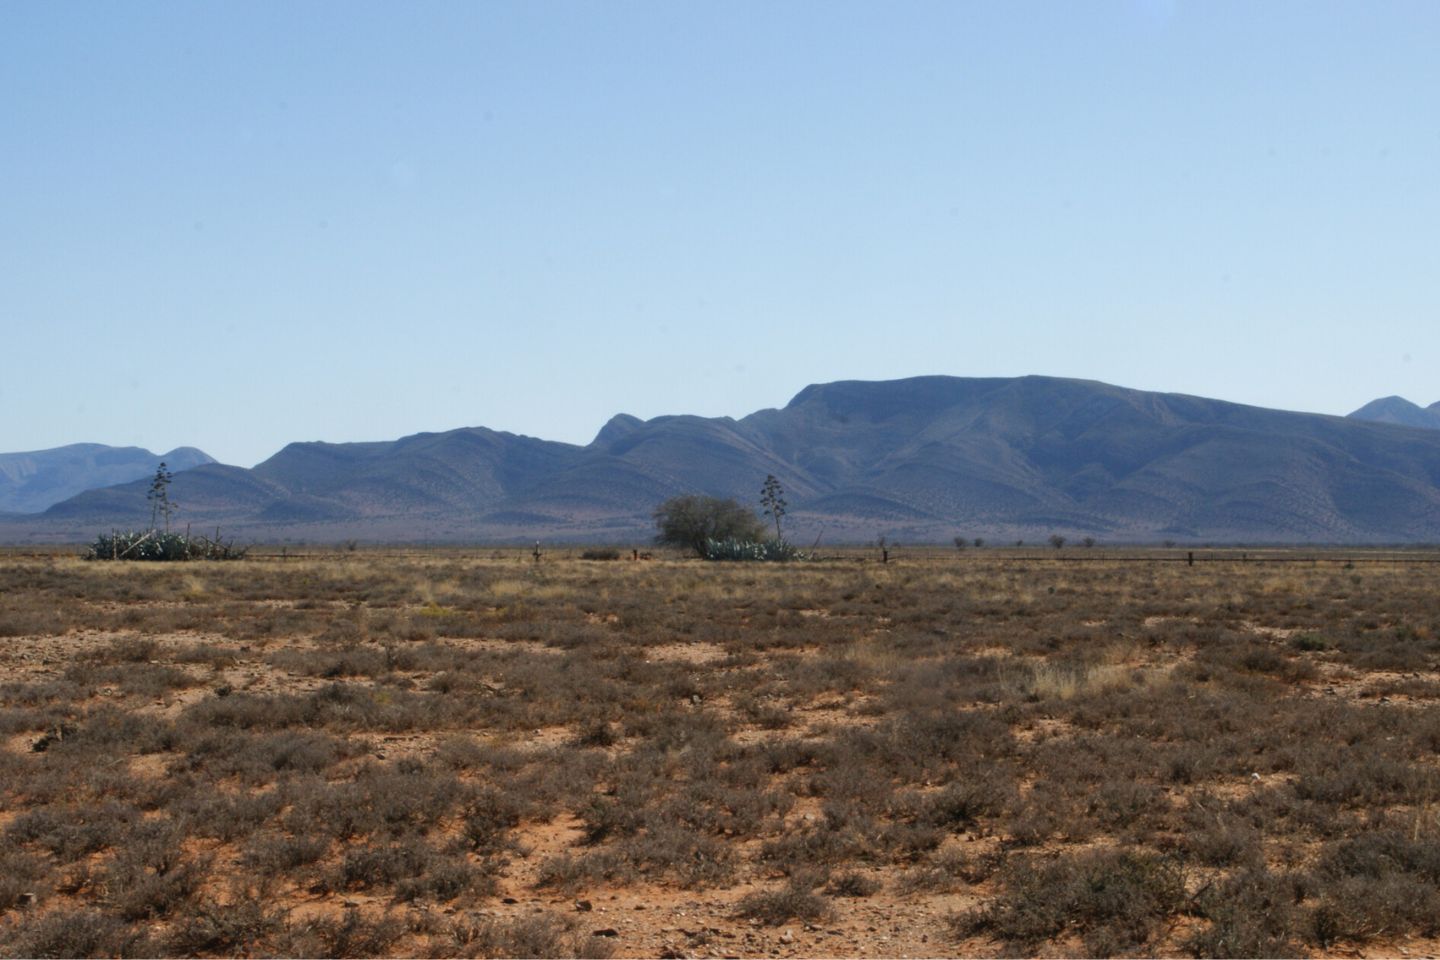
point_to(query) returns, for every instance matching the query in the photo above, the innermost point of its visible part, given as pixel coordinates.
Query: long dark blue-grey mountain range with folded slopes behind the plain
(919, 460)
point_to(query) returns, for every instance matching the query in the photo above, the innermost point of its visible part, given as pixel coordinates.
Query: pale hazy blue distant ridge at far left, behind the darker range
(37, 480)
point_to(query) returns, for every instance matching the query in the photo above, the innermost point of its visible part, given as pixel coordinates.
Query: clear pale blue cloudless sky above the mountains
(238, 225)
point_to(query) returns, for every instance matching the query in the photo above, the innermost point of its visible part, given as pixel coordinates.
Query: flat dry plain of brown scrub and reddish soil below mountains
(472, 753)
